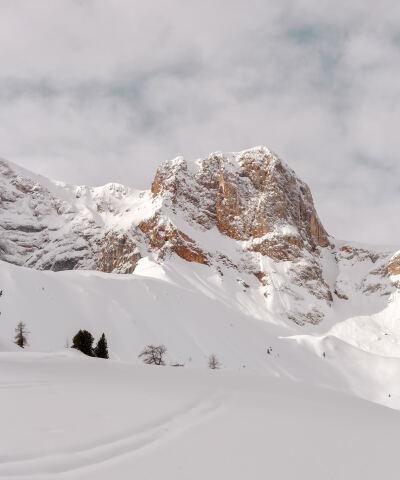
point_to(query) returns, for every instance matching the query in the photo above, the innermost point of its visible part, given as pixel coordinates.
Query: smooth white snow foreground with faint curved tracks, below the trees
(68, 416)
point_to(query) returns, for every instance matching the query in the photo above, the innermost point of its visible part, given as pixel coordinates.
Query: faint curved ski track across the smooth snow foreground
(136, 442)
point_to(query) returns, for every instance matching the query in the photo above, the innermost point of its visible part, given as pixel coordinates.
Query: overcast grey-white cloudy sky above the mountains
(104, 90)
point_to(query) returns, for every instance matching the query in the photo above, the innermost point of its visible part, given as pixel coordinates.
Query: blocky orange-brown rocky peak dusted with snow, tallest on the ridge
(247, 195)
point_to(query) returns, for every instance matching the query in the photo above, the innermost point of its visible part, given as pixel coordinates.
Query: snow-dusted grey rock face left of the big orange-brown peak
(52, 226)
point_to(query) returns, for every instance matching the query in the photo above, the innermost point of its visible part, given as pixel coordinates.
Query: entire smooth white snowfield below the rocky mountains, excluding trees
(292, 413)
